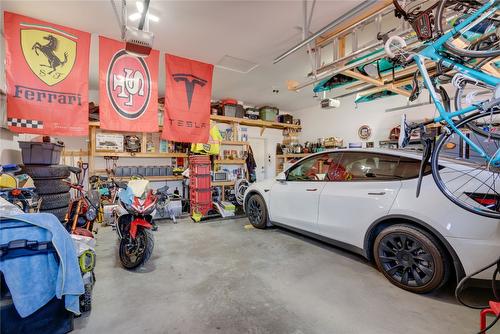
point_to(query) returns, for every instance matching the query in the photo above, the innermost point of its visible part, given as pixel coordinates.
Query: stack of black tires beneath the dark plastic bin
(50, 186)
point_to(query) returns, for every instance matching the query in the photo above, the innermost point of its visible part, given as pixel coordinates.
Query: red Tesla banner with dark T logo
(187, 100)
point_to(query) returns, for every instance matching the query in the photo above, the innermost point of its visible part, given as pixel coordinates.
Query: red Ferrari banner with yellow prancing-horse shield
(47, 68)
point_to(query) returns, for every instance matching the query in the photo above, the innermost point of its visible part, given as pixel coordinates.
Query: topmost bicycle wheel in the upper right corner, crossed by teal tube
(481, 41)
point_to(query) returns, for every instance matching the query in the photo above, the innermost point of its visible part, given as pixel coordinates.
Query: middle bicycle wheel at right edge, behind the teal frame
(474, 93)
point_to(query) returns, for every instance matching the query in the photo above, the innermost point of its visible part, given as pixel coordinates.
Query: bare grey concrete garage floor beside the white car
(224, 277)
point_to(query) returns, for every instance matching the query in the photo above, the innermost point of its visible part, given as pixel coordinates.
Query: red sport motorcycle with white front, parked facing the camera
(134, 227)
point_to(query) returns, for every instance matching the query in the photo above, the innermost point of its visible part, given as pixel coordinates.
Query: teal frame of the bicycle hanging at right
(433, 52)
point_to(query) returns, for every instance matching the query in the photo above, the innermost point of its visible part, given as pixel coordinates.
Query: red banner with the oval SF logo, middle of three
(128, 88)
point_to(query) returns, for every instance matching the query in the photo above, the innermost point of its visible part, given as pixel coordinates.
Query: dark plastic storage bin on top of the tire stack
(35, 153)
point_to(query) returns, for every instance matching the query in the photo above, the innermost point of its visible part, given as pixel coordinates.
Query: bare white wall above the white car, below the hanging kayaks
(345, 121)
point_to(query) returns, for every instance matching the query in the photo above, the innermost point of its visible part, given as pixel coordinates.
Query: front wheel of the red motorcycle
(136, 252)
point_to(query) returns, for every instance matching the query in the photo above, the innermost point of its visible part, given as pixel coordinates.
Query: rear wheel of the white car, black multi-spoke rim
(410, 258)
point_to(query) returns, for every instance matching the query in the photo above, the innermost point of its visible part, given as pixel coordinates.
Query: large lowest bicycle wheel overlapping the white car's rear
(471, 182)
